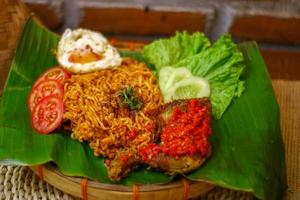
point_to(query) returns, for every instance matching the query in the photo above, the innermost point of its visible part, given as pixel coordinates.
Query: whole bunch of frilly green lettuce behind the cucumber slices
(221, 64)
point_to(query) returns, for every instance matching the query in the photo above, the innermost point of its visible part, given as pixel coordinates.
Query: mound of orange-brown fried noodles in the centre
(92, 106)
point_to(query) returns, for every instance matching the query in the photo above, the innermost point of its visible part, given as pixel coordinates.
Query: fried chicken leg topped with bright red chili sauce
(182, 145)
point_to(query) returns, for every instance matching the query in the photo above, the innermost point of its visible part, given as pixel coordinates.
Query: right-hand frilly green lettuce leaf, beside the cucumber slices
(222, 65)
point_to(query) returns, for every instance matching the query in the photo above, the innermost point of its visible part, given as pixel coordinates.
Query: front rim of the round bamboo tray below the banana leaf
(97, 191)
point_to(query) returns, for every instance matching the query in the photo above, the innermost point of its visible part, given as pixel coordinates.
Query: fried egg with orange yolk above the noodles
(82, 51)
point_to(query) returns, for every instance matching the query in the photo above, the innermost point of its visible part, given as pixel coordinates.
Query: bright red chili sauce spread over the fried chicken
(185, 133)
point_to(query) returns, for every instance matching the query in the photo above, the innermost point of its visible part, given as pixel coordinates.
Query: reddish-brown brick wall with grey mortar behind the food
(274, 24)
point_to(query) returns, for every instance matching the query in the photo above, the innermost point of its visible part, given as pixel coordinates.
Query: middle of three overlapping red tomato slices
(42, 90)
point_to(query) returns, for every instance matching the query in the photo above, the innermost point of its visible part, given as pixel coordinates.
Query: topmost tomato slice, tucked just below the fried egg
(54, 73)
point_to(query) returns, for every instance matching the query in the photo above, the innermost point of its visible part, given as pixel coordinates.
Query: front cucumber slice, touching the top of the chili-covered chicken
(192, 87)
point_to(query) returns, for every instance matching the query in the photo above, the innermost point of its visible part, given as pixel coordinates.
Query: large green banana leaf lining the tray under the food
(248, 152)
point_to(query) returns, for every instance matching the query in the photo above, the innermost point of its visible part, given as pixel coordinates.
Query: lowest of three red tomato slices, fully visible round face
(47, 114)
